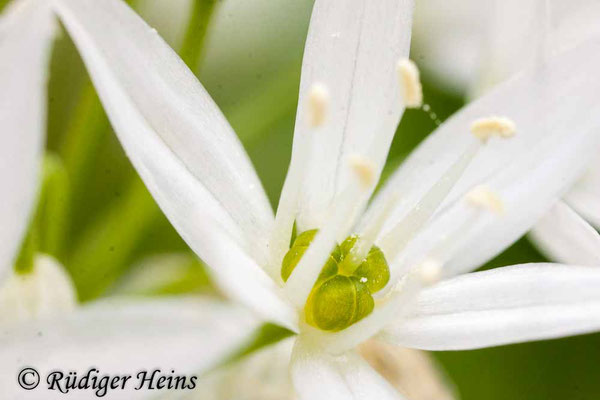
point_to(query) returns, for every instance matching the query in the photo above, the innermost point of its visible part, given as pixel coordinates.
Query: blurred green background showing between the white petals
(250, 63)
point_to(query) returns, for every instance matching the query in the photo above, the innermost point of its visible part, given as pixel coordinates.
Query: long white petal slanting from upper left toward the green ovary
(174, 134)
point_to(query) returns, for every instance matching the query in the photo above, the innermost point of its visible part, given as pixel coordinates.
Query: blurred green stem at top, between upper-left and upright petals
(192, 47)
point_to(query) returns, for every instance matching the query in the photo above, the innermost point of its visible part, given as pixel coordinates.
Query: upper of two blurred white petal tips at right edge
(584, 197)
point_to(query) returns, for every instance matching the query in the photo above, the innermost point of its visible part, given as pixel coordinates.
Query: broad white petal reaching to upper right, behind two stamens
(553, 143)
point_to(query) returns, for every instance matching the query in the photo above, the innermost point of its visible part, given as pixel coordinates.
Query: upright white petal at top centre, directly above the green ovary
(352, 50)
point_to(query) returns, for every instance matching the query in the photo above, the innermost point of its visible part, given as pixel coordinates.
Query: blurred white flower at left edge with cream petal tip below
(26, 34)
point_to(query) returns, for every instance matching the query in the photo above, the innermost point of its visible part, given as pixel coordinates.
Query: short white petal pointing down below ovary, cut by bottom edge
(319, 376)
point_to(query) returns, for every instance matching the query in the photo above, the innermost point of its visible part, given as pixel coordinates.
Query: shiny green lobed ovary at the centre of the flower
(343, 292)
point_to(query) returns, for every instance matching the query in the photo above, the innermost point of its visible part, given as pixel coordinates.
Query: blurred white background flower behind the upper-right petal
(472, 45)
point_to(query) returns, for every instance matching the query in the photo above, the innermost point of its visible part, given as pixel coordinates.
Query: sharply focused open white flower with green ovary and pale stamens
(350, 104)
